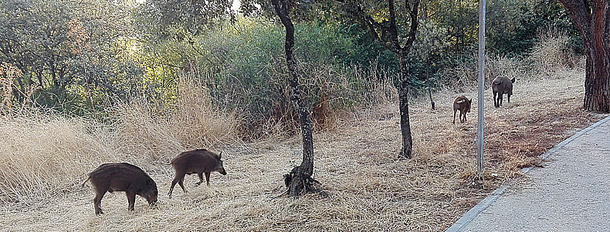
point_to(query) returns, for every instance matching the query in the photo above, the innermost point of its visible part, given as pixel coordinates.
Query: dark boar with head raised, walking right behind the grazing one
(196, 161)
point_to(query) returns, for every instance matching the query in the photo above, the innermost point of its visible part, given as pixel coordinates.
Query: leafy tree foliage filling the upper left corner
(68, 49)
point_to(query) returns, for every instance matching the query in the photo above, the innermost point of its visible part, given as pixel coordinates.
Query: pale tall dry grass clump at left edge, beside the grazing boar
(46, 155)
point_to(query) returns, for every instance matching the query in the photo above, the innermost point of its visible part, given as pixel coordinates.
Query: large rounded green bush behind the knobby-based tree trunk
(244, 67)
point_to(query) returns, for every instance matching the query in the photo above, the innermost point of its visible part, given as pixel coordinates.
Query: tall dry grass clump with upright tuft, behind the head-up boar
(161, 132)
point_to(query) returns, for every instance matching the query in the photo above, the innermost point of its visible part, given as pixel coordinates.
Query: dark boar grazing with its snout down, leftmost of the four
(125, 177)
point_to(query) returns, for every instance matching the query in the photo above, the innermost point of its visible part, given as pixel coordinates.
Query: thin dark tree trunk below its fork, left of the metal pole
(403, 97)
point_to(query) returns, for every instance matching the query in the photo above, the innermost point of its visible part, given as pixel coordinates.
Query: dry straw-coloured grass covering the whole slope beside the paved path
(356, 163)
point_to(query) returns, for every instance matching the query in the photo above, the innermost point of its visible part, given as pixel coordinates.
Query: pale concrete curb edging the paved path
(477, 209)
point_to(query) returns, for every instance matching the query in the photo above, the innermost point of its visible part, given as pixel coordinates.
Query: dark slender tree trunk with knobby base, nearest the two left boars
(299, 180)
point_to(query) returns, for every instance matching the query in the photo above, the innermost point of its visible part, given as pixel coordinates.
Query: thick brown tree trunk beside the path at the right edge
(592, 21)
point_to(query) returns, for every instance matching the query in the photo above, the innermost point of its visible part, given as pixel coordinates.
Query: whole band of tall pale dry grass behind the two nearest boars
(44, 155)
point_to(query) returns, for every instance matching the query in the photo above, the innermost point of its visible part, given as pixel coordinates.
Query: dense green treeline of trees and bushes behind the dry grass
(80, 57)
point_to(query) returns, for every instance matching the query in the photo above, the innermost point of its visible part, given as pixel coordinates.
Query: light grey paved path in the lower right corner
(572, 193)
